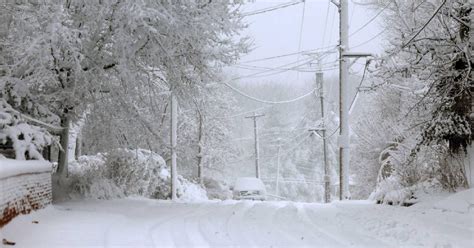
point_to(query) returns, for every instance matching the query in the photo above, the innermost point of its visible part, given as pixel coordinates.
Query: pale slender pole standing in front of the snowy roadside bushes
(174, 137)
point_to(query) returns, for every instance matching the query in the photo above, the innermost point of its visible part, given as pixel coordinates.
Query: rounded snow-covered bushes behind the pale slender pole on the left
(125, 172)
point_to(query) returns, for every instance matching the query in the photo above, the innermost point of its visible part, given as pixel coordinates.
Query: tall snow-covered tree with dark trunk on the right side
(422, 106)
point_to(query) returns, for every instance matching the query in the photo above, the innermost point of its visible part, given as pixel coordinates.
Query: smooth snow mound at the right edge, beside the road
(462, 202)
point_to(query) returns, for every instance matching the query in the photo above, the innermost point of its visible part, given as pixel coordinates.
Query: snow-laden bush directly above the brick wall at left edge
(27, 140)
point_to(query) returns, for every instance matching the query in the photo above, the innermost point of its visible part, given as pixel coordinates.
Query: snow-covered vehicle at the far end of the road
(249, 188)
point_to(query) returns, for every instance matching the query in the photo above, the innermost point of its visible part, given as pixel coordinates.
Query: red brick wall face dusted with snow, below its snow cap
(23, 192)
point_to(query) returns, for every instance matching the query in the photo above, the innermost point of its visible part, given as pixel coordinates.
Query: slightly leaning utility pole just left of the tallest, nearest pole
(327, 189)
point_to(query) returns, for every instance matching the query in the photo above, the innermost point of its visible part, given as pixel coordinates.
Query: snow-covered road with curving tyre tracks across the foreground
(149, 223)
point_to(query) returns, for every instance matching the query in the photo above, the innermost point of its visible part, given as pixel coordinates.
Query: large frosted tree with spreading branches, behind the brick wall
(73, 53)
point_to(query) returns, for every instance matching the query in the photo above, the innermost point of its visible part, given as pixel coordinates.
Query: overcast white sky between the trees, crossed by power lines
(278, 32)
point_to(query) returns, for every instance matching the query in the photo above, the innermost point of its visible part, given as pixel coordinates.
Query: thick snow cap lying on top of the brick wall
(11, 167)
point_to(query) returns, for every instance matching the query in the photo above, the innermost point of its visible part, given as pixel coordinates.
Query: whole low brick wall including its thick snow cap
(25, 185)
